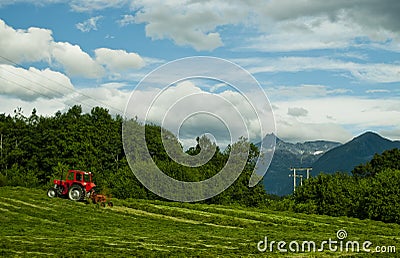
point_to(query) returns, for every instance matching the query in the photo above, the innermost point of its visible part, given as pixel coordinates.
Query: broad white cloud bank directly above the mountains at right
(334, 118)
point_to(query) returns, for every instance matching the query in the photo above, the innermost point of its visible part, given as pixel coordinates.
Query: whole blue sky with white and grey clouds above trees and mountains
(330, 70)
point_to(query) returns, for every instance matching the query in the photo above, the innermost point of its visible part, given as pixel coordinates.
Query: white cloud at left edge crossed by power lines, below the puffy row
(32, 84)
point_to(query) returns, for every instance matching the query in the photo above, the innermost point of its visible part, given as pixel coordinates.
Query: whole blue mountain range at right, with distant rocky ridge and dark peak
(322, 156)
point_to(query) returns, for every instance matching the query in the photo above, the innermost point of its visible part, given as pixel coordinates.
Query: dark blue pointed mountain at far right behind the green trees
(355, 152)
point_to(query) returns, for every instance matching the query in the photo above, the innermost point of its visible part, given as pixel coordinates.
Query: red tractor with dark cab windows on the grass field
(77, 185)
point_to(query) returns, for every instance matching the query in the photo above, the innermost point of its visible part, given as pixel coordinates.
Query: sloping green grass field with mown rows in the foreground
(33, 225)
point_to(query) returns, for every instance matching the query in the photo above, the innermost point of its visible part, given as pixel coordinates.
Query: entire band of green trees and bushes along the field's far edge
(37, 149)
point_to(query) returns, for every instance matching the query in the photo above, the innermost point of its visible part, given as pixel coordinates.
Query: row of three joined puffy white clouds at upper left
(35, 44)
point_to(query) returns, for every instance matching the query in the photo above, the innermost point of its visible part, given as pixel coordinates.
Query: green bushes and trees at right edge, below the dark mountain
(373, 192)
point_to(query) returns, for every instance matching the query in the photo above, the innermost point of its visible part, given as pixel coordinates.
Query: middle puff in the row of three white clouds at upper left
(75, 61)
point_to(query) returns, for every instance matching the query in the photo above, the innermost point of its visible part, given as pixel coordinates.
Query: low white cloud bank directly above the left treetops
(109, 96)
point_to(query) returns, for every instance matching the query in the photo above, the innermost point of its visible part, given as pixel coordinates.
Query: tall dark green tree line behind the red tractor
(37, 149)
